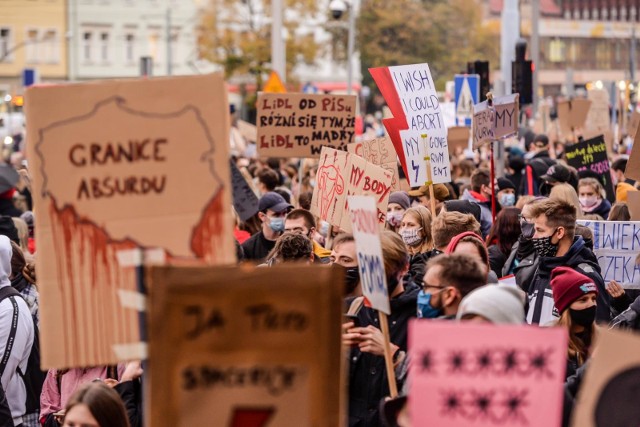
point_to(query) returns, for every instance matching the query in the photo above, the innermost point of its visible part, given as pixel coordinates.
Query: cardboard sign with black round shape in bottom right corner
(608, 393)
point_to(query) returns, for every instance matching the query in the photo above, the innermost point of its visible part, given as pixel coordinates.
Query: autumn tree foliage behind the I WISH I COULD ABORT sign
(445, 34)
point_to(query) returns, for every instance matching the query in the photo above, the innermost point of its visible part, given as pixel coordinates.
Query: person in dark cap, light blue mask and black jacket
(272, 209)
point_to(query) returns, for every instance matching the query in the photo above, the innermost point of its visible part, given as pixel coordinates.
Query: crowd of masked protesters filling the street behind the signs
(443, 259)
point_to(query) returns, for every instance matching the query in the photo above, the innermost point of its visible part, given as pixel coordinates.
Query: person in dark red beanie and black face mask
(574, 296)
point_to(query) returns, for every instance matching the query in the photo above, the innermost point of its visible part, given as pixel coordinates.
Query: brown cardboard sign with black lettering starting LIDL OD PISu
(299, 124)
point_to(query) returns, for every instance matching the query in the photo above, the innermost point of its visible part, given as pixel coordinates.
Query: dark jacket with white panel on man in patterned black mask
(538, 285)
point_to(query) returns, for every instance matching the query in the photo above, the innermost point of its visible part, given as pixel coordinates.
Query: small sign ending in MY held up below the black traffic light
(499, 121)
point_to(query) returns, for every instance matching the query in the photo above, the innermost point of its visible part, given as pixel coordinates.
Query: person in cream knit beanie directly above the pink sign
(499, 304)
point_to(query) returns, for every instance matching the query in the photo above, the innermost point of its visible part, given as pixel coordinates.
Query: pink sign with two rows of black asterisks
(481, 374)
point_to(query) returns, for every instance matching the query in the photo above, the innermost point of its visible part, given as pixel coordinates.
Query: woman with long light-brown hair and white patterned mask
(415, 230)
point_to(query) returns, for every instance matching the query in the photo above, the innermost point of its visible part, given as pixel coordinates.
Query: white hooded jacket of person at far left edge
(14, 311)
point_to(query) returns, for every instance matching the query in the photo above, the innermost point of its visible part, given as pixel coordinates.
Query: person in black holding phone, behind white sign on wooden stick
(367, 375)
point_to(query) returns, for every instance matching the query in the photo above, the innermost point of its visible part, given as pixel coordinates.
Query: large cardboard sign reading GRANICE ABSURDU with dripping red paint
(110, 169)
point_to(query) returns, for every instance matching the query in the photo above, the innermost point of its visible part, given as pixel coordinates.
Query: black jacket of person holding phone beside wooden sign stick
(367, 375)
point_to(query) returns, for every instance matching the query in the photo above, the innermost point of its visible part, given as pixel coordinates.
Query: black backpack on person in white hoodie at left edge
(34, 377)
